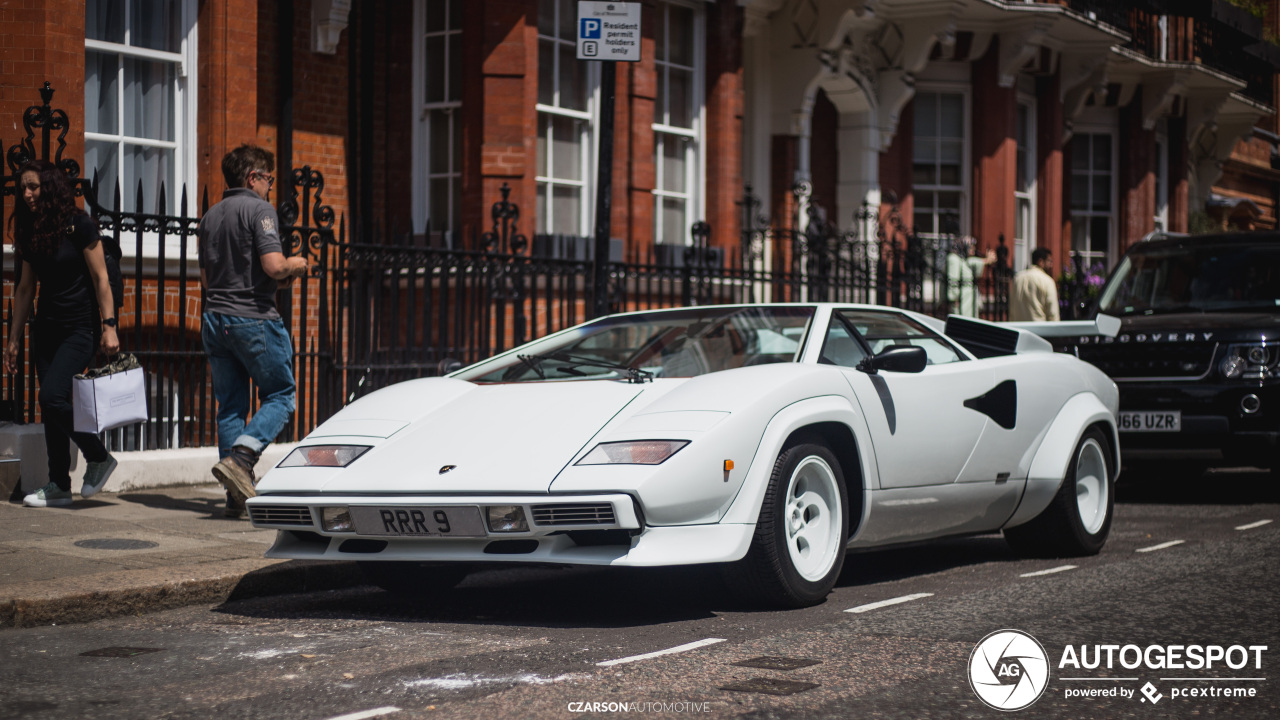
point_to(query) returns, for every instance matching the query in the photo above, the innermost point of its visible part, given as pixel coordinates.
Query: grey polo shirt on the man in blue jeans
(234, 238)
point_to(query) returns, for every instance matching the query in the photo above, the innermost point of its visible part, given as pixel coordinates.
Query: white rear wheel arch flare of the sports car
(1057, 450)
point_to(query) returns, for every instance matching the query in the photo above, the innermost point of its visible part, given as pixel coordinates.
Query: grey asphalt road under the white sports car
(1190, 563)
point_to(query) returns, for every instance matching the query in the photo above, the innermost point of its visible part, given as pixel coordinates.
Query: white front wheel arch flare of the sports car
(828, 409)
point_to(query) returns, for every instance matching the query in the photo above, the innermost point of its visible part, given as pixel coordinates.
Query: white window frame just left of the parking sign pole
(587, 139)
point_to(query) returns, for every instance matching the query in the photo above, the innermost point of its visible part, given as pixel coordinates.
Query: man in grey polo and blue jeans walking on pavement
(241, 262)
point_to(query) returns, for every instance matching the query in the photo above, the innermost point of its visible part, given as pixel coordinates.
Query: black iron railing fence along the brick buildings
(383, 309)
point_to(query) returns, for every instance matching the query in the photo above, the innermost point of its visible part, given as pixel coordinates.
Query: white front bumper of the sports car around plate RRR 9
(582, 530)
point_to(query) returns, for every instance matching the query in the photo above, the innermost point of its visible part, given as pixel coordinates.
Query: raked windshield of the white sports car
(676, 344)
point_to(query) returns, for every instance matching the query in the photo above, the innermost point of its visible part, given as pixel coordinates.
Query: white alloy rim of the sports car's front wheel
(813, 520)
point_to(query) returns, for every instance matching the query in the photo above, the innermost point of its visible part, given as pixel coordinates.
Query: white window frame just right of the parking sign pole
(696, 160)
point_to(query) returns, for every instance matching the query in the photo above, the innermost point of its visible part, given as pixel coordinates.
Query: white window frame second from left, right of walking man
(427, 113)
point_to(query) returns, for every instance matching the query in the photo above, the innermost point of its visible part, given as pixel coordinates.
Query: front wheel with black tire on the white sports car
(799, 545)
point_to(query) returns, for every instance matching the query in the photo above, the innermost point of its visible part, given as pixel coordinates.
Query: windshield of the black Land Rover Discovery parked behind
(1191, 277)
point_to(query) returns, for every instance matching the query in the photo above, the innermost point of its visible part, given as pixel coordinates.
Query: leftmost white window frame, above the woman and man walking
(186, 108)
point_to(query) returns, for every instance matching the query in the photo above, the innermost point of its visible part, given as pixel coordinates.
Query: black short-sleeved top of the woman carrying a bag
(66, 290)
